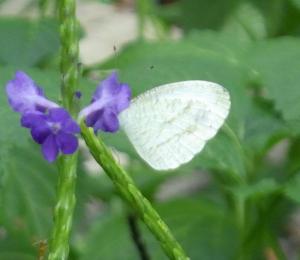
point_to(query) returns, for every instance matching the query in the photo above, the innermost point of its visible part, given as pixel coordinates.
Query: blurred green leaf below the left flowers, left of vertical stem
(27, 192)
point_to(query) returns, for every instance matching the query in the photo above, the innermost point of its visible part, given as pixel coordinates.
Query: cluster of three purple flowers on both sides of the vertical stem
(51, 126)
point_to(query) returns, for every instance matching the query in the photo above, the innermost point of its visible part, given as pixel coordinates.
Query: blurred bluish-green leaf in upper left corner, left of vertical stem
(27, 42)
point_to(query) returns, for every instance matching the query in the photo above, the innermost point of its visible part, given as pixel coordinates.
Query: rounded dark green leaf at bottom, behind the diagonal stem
(201, 227)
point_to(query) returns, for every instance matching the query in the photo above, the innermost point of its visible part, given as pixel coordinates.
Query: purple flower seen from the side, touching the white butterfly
(110, 98)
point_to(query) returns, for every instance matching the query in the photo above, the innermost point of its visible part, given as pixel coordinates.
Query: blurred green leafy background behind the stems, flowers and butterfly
(250, 47)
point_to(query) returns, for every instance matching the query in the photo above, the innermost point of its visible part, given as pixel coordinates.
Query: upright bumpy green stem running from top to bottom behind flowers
(63, 212)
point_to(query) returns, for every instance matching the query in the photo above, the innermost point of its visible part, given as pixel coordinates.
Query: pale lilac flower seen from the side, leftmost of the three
(25, 96)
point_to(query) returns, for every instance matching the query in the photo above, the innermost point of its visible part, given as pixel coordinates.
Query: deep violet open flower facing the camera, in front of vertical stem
(54, 131)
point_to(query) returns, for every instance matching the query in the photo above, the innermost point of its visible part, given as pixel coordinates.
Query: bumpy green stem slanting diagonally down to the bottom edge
(131, 194)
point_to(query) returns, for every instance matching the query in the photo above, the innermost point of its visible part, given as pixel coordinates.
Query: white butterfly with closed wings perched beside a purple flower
(168, 125)
